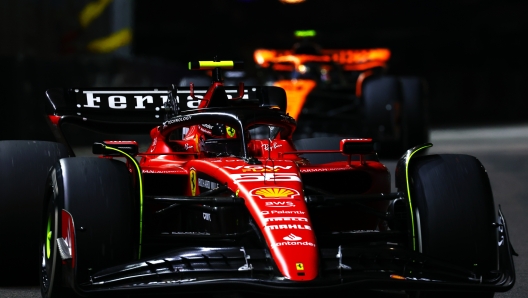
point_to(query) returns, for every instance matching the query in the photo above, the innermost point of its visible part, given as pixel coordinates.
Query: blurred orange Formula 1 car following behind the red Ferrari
(344, 92)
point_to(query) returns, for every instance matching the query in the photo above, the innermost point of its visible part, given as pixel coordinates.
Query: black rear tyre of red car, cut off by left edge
(24, 166)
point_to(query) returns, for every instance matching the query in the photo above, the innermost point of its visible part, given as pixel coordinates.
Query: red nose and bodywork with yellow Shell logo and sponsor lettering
(272, 190)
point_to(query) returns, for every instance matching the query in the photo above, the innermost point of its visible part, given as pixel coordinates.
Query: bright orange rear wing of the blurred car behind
(350, 59)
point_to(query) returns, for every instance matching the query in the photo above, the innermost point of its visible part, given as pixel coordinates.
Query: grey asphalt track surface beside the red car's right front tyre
(503, 150)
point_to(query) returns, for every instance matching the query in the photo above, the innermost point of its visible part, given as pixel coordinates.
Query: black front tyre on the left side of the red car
(99, 195)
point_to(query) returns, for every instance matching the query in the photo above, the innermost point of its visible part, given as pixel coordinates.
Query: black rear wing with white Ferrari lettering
(142, 107)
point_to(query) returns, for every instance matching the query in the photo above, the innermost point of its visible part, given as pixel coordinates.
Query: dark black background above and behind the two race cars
(472, 53)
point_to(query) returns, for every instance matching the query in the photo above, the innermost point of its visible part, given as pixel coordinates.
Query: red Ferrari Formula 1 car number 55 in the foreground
(222, 200)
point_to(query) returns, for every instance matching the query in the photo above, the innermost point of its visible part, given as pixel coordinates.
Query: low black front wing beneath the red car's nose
(380, 266)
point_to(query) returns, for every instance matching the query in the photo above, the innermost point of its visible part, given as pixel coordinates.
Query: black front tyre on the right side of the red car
(454, 213)
